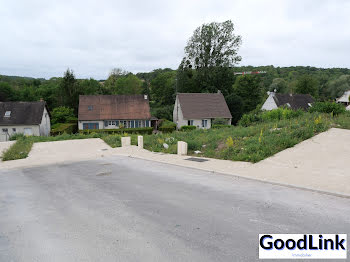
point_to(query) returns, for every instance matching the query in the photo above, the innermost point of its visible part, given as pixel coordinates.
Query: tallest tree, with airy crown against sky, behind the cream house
(211, 51)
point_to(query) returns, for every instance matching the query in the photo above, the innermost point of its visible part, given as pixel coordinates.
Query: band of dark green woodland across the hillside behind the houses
(242, 93)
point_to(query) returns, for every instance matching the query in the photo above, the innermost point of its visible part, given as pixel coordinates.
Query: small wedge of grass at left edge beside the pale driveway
(20, 149)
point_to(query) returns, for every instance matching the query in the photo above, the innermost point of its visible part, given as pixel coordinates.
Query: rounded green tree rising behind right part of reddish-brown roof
(128, 85)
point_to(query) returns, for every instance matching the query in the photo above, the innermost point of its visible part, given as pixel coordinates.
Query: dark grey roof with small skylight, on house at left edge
(22, 113)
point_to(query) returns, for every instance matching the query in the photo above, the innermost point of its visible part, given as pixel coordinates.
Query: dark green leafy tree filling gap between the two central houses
(163, 88)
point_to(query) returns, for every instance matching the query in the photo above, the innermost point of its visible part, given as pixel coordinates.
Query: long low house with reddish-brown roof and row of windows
(114, 111)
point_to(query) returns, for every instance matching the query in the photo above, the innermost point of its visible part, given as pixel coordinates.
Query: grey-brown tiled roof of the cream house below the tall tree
(203, 105)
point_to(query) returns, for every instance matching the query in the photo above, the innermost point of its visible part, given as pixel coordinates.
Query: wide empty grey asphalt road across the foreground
(124, 209)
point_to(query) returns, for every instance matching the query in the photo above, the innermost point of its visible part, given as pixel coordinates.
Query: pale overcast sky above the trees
(42, 38)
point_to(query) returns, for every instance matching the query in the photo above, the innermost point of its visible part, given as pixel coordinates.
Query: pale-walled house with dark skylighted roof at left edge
(28, 118)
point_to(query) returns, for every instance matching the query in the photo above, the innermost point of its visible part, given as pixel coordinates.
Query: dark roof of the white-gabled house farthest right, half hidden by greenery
(295, 101)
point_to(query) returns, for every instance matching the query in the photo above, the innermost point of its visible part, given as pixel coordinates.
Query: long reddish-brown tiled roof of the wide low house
(105, 107)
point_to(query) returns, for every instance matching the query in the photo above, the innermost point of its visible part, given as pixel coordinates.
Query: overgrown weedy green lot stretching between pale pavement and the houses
(253, 143)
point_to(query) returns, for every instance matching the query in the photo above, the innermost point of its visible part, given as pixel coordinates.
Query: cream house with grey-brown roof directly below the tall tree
(200, 109)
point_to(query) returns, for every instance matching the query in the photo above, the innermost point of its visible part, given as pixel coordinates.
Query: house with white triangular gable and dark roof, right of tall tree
(292, 101)
